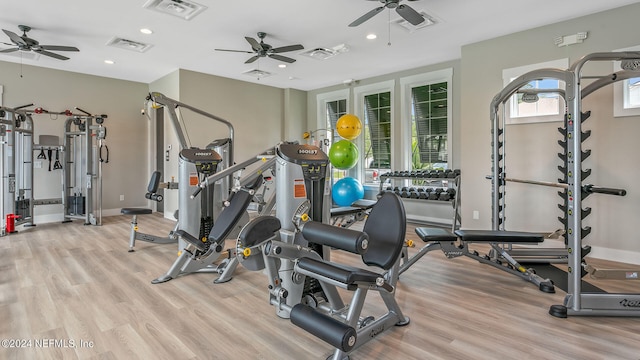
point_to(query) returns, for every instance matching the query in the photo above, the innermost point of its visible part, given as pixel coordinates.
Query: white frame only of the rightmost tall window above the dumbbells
(406, 85)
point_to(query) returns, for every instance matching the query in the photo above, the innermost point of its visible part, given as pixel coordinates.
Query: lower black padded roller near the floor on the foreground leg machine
(334, 332)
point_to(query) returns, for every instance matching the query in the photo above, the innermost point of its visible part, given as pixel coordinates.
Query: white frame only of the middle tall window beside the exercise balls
(358, 95)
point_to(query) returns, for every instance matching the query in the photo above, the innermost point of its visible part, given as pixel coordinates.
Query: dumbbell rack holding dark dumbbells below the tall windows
(424, 188)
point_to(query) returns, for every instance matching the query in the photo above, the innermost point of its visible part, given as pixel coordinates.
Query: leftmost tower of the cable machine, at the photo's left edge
(16, 170)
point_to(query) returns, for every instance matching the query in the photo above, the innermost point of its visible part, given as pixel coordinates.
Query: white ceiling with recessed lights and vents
(177, 43)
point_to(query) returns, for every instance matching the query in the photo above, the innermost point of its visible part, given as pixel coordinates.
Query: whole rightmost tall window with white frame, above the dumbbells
(426, 114)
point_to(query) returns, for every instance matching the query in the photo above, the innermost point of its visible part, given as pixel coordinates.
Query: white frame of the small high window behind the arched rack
(512, 73)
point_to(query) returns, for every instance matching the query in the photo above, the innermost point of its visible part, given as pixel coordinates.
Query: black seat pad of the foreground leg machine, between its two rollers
(338, 272)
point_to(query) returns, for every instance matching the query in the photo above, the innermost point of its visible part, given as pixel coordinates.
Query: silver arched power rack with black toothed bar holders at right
(576, 302)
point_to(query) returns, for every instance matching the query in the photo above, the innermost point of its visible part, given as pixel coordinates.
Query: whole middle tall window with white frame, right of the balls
(374, 107)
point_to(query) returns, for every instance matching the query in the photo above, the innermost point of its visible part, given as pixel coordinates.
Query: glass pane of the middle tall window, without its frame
(377, 135)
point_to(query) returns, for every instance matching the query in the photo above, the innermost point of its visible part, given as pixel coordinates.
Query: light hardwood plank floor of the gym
(70, 282)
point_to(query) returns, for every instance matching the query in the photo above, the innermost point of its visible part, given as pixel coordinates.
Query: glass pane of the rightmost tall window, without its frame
(429, 126)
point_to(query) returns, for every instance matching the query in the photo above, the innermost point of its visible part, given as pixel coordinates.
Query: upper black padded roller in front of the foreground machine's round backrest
(337, 237)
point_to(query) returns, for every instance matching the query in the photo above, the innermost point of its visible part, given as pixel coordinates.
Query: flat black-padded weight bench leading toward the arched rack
(456, 244)
